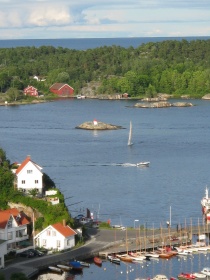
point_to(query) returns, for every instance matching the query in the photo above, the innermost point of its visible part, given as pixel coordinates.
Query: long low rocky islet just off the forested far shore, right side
(162, 104)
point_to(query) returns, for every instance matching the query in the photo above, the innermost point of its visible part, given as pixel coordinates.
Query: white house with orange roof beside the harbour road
(56, 237)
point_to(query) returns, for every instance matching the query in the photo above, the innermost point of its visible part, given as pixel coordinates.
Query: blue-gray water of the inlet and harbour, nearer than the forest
(97, 168)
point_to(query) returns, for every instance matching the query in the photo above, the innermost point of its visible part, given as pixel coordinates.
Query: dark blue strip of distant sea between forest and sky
(90, 43)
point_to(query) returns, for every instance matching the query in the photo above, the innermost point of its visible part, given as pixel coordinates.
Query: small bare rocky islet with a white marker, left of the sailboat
(96, 125)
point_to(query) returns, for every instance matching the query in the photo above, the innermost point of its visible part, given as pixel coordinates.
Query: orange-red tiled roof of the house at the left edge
(5, 216)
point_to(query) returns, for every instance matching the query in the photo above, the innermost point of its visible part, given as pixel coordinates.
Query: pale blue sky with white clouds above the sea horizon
(50, 19)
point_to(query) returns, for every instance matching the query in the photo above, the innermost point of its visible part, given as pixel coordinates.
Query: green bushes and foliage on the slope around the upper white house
(51, 213)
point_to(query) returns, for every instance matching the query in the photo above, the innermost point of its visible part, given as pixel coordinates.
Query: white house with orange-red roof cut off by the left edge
(13, 228)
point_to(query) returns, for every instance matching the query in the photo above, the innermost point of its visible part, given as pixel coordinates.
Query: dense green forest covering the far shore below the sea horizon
(173, 67)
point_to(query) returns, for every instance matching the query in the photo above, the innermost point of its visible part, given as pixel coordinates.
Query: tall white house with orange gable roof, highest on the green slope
(29, 176)
